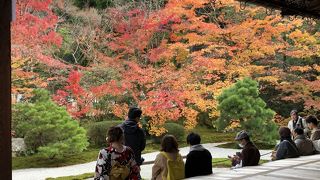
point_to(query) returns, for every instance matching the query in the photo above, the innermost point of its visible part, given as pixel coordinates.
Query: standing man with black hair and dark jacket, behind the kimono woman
(134, 136)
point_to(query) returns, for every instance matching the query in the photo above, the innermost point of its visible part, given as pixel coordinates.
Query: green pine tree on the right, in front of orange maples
(241, 102)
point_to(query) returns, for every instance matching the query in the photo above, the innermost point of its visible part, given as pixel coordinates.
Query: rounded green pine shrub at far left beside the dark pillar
(47, 128)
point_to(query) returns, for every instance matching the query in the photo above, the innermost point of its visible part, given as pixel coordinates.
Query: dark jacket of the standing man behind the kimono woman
(134, 137)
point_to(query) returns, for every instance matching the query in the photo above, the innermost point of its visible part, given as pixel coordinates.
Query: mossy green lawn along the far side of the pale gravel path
(35, 161)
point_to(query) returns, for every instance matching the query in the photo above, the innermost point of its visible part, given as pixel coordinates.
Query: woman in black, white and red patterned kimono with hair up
(116, 161)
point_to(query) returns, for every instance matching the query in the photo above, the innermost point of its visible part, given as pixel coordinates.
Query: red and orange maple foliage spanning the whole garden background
(173, 61)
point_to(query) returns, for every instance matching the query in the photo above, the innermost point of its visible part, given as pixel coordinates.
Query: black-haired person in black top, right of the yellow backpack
(199, 159)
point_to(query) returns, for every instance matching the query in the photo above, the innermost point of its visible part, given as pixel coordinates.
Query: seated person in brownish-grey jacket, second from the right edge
(304, 145)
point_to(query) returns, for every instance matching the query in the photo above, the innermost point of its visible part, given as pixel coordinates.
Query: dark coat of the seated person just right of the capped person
(287, 149)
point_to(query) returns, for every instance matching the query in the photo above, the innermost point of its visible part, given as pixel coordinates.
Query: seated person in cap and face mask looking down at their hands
(249, 156)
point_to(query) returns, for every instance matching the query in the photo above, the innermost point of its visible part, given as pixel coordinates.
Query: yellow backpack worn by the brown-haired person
(175, 167)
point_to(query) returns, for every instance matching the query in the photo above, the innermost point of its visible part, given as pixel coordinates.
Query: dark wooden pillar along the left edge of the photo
(5, 90)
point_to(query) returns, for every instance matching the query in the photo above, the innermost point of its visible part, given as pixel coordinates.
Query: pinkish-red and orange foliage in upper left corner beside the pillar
(33, 37)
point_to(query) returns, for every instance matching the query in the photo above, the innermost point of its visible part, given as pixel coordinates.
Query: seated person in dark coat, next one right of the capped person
(286, 148)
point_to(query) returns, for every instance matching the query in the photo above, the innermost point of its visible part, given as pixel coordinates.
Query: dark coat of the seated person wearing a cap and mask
(250, 155)
